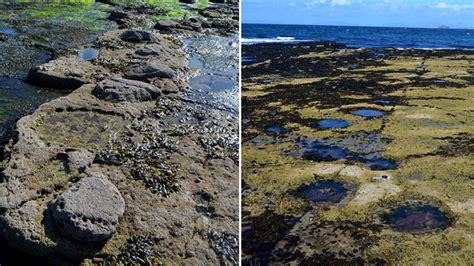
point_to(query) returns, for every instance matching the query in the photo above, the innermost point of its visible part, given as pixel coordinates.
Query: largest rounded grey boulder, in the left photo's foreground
(89, 211)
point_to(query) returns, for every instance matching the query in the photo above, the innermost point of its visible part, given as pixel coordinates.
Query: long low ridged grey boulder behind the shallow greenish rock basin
(120, 90)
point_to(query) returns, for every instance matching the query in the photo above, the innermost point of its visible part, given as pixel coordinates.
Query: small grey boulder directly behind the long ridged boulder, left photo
(147, 70)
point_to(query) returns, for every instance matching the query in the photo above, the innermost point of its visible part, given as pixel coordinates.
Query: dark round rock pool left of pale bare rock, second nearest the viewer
(325, 191)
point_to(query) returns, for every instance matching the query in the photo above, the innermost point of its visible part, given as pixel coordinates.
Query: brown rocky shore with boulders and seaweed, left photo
(125, 169)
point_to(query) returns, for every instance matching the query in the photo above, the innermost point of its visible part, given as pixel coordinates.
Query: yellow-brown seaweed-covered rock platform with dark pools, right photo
(356, 156)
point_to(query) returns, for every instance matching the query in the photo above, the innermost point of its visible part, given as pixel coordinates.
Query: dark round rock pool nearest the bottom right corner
(418, 218)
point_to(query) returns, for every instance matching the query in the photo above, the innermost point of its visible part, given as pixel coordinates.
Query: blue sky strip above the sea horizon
(389, 13)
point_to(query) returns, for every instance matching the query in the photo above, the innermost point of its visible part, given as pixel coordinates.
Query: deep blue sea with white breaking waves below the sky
(360, 37)
